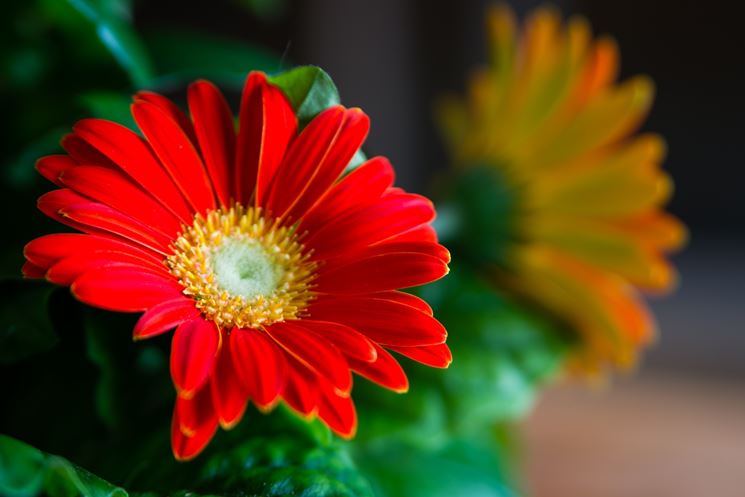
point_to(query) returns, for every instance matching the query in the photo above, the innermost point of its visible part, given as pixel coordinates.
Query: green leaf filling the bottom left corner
(27, 472)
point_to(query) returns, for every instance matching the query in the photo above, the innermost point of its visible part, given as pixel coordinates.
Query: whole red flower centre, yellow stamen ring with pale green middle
(243, 269)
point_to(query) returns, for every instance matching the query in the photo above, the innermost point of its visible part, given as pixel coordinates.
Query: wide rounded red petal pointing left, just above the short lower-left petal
(124, 288)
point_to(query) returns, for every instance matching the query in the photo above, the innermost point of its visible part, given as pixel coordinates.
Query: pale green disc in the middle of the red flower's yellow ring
(243, 267)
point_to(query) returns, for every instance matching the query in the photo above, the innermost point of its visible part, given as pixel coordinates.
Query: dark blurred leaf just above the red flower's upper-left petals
(183, 56)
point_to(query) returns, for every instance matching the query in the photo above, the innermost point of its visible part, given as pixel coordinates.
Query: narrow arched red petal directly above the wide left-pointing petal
(66, 271)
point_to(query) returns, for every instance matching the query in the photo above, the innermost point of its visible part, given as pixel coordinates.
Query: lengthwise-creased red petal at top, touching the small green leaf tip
(267, 124)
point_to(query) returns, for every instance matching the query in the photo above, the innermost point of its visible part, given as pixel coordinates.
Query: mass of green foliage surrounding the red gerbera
(76, 385)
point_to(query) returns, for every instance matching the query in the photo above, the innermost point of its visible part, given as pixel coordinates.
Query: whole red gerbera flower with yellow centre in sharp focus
(279, 275)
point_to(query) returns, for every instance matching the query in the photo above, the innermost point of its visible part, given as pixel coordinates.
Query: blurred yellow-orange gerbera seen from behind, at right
(573, 218)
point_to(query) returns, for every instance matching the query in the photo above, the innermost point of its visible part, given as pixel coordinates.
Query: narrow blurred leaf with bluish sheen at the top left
(112, 20)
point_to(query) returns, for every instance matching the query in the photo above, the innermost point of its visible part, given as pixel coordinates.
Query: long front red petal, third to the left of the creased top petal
(132, 154)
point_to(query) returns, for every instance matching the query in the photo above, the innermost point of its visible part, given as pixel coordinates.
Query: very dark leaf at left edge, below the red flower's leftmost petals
(25, 327)
